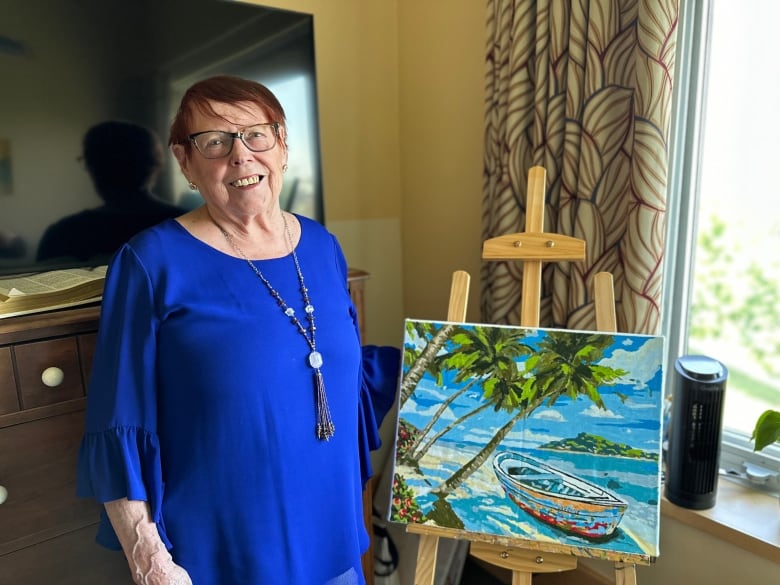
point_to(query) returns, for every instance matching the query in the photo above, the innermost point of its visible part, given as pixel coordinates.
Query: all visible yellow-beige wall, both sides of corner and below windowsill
(401, 89)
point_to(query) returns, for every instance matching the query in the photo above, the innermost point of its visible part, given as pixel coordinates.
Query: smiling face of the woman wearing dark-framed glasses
(243, 183)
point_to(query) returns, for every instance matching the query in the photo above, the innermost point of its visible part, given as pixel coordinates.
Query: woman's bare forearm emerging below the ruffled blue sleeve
(149, 560)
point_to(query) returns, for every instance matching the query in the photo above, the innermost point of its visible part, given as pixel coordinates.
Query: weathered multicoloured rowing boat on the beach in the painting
(557, 498)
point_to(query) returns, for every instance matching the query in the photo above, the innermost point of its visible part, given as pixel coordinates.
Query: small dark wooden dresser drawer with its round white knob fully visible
(59, 359)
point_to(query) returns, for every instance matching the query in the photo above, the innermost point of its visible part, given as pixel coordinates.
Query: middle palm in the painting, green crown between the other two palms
(486, 355)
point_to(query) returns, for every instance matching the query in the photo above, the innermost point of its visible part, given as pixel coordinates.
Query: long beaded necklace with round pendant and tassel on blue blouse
(324, 426)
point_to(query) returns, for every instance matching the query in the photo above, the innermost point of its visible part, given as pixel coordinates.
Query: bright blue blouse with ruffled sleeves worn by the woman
(201, 402)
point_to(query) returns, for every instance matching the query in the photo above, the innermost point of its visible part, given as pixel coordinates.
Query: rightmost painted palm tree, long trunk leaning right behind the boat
(565, 365)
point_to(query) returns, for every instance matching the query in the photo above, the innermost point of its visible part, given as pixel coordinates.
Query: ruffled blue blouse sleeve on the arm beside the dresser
(119, 454)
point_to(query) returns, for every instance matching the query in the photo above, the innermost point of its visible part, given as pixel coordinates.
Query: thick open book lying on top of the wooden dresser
(55, 289)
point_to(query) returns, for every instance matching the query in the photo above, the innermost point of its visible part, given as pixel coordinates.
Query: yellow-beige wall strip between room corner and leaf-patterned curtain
(442, 117)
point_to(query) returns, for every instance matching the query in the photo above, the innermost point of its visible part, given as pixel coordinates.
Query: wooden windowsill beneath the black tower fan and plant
(744, 517)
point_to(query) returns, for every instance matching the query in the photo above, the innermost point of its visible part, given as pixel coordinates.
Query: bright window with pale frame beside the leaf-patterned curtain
(722, 288)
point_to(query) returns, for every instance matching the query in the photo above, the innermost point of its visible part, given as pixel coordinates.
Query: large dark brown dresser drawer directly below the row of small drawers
(38, 468)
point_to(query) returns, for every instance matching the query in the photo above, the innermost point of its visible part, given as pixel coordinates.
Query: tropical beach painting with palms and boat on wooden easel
(542, 435)
